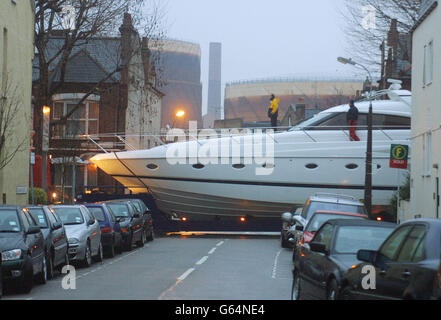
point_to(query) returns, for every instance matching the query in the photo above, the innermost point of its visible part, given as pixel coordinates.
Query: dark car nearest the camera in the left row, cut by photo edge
(22, 248)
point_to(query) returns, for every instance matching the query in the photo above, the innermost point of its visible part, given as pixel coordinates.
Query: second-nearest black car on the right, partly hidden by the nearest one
(319, 265)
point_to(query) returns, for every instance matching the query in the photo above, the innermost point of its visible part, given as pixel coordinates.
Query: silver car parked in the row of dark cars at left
(83, 233)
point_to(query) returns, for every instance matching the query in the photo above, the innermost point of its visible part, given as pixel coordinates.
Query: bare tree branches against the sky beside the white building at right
(367, 23)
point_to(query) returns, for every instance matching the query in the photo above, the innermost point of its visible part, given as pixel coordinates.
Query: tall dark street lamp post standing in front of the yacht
(368, 174)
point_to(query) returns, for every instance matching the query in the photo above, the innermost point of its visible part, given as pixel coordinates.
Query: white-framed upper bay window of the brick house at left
(83, 119)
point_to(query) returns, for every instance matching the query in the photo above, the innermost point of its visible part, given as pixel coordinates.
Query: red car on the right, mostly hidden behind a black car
(306, 234)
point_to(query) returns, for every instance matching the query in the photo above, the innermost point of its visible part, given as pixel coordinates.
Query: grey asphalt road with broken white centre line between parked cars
(182, 267)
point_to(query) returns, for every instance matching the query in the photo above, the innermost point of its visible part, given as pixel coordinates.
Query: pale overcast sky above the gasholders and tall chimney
(262, 38)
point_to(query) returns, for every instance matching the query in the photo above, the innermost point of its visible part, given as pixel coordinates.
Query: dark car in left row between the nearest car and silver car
(54, 233)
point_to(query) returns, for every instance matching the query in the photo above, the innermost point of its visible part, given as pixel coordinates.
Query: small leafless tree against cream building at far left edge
(10, 105)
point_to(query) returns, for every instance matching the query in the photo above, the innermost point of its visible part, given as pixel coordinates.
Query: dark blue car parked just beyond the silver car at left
(111, 233)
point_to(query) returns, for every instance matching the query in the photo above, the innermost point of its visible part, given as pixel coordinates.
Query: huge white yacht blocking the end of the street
(191, 179)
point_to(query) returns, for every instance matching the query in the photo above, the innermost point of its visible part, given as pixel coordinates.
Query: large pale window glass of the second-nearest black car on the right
(350, 239)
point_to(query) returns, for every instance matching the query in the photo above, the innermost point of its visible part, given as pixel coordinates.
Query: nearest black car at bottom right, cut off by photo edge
(407, 265)
